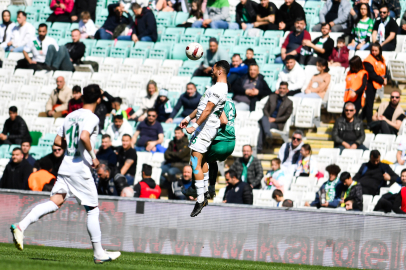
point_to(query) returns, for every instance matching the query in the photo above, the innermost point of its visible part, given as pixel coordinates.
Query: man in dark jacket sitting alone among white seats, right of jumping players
(277, 111)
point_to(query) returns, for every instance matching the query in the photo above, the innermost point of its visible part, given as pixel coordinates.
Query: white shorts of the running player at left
(84, 189)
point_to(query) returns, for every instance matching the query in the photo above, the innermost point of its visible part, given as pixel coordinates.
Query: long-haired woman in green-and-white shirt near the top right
(362, 30)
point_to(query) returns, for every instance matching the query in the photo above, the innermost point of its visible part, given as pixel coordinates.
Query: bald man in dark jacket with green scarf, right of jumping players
(248, 168)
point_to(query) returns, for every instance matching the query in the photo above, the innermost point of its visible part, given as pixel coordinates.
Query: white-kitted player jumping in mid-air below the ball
(205, 129)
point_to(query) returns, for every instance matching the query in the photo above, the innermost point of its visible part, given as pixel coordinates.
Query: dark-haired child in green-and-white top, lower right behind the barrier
(329, 194)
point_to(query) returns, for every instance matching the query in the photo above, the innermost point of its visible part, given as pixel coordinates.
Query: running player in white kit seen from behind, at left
(77, 135)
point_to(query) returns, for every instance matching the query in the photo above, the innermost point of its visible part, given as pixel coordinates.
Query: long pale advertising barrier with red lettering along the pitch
(313, 237)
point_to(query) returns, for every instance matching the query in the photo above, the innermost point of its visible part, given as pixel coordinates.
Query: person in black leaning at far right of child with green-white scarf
(352, 199)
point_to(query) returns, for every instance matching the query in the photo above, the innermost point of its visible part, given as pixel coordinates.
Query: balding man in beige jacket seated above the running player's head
(57, 104)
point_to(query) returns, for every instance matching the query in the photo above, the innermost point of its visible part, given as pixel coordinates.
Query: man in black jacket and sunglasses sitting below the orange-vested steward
(348, 131)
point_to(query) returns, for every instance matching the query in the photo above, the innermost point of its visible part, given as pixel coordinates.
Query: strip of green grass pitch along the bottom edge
(51, 258)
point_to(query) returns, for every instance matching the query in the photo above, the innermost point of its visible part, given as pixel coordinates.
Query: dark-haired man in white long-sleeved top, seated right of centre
(293, 74)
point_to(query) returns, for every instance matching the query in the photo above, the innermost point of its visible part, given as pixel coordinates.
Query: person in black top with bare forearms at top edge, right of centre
(266, 16)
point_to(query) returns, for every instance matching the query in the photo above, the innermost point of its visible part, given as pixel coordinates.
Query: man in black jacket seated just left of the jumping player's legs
(177, 156)
